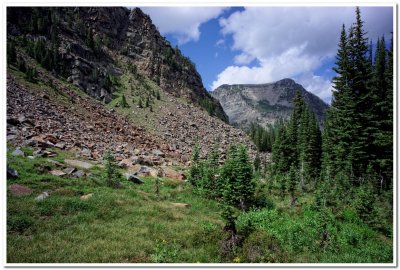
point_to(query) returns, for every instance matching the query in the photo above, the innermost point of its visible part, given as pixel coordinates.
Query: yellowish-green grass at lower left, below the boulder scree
(127, 225)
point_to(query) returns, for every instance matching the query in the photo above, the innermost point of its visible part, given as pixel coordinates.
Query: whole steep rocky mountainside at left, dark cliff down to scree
(90, 97)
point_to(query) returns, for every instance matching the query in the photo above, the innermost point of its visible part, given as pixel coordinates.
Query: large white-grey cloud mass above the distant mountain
(292, 42)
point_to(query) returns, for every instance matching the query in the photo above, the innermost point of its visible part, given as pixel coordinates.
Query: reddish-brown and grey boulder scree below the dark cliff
(84, 126)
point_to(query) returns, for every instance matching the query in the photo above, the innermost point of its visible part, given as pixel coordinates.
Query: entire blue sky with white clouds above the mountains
(265, 44)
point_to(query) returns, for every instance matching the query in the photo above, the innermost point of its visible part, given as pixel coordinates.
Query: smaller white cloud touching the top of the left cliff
(182, 22)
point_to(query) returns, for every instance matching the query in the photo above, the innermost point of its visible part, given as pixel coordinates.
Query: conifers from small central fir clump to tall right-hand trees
(347, 162)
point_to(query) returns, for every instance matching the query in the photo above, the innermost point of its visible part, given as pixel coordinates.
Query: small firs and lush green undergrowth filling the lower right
(283, 223)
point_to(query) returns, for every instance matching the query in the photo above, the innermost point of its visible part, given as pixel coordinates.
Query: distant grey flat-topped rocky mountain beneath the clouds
(264, 103)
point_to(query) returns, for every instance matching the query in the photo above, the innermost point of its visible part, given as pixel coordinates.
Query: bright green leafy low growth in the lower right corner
(300, 233)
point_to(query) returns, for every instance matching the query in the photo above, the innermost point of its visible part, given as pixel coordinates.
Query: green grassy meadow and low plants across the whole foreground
(133, 224)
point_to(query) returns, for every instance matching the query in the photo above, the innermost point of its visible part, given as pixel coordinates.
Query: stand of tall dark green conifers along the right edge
(350, 161)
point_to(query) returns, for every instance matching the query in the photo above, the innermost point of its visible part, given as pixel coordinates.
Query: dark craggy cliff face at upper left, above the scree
(90, 45)
